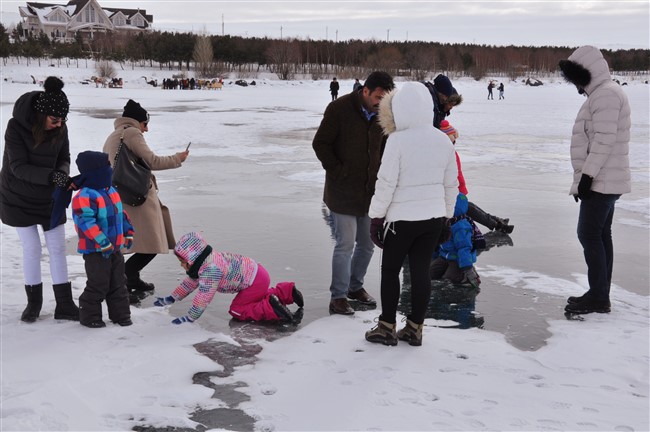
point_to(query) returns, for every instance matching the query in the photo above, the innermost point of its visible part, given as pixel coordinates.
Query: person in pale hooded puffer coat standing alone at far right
(601, 169)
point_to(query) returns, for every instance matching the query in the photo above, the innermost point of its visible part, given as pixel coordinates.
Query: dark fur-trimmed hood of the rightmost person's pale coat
(586, 68)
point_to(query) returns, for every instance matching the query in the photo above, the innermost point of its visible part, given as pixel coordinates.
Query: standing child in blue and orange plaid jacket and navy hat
(103, 229)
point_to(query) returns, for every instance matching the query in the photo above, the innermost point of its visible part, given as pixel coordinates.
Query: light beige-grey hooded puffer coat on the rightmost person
(601, 133)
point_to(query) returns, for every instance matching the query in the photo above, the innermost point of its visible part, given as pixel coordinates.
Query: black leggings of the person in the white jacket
(417, 240)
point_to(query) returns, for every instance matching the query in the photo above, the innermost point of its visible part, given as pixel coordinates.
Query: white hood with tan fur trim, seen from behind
(405, 108)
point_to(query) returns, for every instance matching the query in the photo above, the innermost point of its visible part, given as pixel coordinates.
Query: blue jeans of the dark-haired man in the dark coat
(352, 253)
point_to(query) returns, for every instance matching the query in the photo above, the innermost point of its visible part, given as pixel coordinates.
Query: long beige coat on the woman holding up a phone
(151, 221)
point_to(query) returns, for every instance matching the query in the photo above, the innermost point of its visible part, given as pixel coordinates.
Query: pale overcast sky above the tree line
(606, 24)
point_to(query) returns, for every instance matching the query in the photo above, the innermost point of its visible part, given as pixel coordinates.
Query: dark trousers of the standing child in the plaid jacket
(105, 282)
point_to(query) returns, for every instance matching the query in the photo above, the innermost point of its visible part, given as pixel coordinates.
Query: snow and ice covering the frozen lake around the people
(254, 186)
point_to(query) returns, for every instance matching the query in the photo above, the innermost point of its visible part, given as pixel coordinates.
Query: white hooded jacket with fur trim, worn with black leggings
(418, 176)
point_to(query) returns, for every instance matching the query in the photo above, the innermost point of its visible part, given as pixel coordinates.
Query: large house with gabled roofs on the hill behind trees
(62, 22)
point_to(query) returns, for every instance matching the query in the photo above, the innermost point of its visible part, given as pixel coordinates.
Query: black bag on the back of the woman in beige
(131, 176)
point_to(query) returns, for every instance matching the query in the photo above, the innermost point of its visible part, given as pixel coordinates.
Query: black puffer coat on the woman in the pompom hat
(25, 190)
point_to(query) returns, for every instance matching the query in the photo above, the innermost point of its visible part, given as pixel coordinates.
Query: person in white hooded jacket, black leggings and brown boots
(416, 189)
